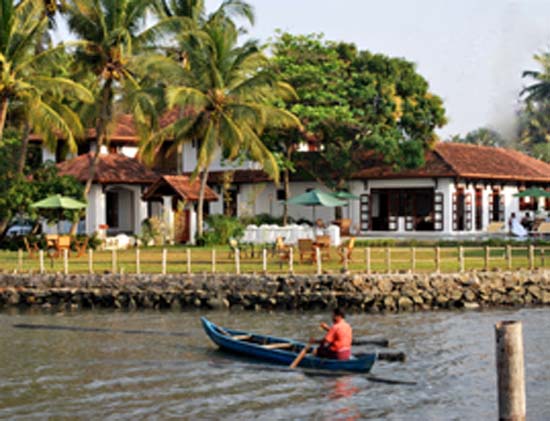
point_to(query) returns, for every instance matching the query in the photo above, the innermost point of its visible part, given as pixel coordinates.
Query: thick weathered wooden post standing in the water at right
(510, 371)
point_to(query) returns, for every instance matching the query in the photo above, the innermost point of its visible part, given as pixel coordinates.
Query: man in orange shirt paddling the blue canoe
(337, 342)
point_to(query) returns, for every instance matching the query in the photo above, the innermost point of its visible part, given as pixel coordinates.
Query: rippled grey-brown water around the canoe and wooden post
(149, 365)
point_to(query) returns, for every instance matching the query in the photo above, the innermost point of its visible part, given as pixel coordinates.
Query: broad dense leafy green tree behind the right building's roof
(352, 101)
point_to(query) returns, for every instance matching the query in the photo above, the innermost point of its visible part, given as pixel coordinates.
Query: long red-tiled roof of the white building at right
(458, 160)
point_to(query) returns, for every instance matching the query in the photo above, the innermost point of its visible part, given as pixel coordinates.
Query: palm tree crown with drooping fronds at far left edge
(26, 85)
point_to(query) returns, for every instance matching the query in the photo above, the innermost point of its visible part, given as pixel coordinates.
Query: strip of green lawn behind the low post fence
(400, 259)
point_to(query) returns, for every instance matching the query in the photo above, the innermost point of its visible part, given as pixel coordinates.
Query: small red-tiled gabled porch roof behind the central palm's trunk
(181, 185)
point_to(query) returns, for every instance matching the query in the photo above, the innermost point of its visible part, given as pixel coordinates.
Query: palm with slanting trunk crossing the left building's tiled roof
(110, 34)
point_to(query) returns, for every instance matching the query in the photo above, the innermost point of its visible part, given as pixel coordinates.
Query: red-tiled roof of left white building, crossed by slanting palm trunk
(111, 169)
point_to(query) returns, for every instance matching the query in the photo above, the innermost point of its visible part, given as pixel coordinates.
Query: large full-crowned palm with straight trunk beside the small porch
(225, 94)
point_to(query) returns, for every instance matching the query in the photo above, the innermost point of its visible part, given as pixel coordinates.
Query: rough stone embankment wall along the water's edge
(366, 293)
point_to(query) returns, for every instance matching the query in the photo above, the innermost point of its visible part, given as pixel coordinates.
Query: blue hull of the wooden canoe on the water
(223, 337)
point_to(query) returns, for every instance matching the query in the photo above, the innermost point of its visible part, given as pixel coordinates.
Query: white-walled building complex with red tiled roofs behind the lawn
(461, 189)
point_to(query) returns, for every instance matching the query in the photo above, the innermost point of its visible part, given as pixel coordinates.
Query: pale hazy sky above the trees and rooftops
(472, 52)
